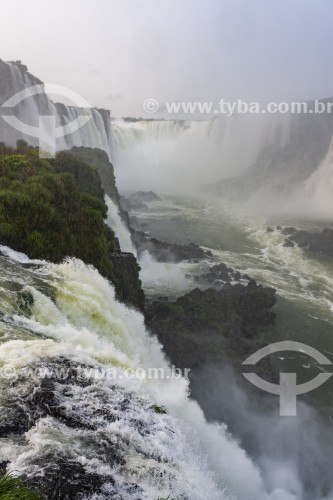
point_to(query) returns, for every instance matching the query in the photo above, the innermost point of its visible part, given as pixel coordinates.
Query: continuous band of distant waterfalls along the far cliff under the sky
(175, 156)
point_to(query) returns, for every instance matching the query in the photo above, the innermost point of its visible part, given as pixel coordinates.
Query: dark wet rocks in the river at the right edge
(315, 243)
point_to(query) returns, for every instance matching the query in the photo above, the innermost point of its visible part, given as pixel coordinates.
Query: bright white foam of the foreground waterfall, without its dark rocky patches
(87, 324)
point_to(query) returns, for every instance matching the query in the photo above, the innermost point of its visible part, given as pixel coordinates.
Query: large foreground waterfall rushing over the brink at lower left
(75, 321)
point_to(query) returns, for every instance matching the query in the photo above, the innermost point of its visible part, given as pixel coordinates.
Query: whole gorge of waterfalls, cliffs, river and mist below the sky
(140, 290)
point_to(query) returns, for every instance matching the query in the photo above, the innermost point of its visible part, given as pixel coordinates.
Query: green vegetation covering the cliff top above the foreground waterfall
(53, 208)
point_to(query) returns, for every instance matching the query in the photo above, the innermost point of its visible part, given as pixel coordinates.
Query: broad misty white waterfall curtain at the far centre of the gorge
(176, 156)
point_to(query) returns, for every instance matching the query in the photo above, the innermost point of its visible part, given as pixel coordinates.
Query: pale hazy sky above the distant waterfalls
(118, 53)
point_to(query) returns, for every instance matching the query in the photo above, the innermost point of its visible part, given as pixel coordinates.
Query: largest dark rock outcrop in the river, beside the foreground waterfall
(212, 325)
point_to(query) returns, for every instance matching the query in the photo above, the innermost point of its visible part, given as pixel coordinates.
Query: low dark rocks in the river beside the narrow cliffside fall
(168, 252)
